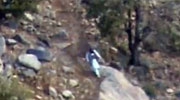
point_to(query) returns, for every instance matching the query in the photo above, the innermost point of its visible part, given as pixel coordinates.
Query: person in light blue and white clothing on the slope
(93, 58)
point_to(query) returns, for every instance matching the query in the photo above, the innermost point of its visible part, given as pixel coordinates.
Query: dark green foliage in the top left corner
(17, 7)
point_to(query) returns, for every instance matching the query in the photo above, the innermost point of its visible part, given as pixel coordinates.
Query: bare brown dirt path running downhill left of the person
(88, 83)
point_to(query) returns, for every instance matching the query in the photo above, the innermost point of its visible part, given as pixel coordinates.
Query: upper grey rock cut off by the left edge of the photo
(2, 45)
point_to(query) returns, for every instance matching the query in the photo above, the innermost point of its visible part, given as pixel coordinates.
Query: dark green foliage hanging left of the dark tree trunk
(110, 14)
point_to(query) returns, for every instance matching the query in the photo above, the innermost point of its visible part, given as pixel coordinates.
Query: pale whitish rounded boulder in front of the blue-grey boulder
(30, 61)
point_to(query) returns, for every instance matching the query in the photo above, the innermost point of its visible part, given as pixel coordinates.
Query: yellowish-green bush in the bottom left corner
(11, 88)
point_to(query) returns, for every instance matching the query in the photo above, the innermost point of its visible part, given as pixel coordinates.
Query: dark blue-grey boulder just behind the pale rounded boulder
(42, 54)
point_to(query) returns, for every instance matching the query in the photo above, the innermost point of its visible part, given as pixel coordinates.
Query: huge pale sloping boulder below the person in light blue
(115, 86)
